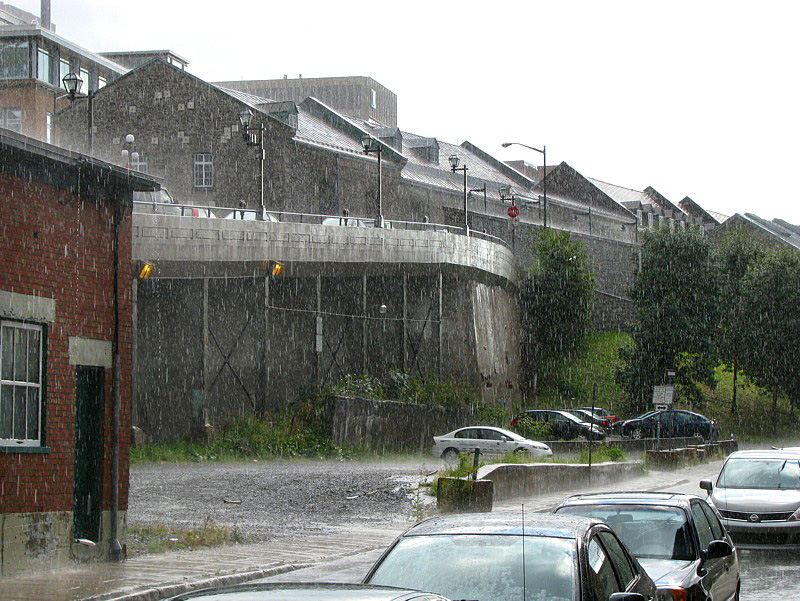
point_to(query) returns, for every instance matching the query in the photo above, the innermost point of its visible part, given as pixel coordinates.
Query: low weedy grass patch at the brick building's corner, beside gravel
(160, 539)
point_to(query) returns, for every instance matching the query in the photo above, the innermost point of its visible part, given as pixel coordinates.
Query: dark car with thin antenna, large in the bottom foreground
(483, 555)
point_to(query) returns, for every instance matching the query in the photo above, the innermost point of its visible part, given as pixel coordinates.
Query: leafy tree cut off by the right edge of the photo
(770, 321)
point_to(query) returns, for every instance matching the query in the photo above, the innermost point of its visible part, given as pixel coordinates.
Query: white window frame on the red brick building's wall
(8, 385)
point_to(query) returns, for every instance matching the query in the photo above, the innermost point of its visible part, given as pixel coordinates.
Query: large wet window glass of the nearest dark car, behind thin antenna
(482, 567)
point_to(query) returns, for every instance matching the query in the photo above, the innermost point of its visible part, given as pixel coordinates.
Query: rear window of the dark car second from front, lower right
(647, 531)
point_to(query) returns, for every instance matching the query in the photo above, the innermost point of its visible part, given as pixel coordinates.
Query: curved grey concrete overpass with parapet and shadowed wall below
(216, 337)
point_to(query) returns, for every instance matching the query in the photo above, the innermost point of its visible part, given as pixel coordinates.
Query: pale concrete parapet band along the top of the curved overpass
(194, 247)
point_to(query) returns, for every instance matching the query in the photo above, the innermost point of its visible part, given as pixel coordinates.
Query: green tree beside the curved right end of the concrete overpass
(557, 302)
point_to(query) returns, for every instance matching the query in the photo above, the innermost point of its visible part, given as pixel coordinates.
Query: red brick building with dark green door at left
(65, 247)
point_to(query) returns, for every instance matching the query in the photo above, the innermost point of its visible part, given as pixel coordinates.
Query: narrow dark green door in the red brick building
(87, 508)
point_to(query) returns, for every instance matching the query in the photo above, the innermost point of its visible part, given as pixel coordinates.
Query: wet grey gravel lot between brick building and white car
(272, 499)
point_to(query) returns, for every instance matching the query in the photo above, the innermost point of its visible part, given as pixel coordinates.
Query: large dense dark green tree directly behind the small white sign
(674, 292)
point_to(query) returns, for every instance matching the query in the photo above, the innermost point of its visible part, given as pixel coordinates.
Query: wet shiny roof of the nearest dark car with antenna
(504, 522)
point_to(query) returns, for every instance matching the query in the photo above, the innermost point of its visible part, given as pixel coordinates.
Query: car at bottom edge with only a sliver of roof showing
(292, 591)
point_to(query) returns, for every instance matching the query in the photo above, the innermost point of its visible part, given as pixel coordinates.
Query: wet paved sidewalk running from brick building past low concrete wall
(154, 577)
